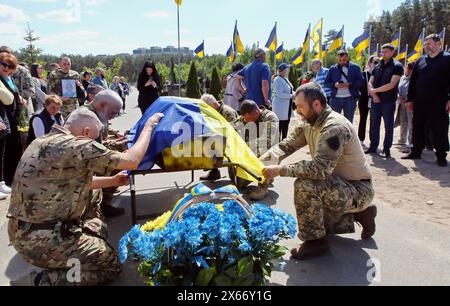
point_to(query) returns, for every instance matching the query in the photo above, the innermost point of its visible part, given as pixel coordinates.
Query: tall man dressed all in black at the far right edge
(429, 97)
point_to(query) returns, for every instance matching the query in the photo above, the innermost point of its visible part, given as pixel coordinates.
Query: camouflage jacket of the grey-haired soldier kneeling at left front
(53, 179)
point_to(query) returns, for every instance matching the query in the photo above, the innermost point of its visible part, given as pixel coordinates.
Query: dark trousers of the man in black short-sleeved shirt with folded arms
(385, 111)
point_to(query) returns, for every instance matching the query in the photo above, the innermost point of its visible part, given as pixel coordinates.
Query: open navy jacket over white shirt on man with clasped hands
(354, 76)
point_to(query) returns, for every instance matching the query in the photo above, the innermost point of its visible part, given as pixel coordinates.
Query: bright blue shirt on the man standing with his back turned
(253, 75)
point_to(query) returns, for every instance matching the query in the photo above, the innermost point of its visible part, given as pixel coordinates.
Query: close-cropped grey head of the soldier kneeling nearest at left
(83, 122)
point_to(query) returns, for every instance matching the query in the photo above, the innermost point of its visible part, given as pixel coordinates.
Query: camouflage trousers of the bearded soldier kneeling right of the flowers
(327, 207)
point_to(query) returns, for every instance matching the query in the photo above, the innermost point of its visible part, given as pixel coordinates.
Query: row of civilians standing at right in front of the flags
(417, 93)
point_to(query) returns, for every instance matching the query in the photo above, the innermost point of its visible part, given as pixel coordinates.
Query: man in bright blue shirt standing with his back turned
(257, 79)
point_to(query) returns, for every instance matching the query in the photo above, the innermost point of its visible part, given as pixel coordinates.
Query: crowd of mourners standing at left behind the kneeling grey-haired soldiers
(26, 94)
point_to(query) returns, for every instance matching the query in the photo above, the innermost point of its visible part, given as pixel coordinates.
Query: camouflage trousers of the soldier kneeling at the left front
(84, 248)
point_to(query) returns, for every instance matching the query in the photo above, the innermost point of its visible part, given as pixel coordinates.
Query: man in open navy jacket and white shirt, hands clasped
(345, 79)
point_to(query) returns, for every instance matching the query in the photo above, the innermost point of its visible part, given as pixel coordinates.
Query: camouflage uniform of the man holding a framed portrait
(55, 87)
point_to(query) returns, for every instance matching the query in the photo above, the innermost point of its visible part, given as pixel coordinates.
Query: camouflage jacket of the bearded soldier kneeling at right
(334, 146)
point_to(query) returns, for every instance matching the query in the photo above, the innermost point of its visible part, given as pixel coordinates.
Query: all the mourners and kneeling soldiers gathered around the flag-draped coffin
(72, 144)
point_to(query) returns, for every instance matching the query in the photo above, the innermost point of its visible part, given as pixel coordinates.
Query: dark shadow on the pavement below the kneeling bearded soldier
(347, 265)
